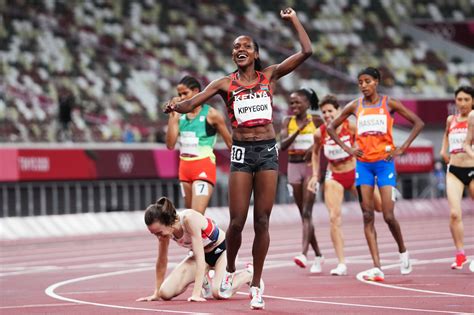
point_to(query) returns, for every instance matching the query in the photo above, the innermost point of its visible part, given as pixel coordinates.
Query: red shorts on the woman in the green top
(204, 169)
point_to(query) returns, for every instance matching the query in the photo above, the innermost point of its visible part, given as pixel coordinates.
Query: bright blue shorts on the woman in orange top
(383, 170)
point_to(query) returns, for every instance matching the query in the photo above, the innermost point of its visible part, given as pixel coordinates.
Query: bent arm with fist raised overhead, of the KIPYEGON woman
(289, 64)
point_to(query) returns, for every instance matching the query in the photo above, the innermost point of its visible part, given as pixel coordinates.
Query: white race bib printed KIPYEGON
(253, 106)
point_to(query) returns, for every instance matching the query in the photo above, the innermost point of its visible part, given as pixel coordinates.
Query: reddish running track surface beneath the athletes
(105, 274)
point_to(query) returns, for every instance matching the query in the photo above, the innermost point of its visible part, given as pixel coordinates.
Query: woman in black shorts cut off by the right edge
(460, 173)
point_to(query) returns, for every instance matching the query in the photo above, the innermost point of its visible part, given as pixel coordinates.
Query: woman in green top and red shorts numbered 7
(196, 132)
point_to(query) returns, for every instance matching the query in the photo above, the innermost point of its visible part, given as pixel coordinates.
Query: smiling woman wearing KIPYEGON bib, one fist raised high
(254, 157)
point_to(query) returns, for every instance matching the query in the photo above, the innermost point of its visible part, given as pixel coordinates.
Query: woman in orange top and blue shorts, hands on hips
(375, 154)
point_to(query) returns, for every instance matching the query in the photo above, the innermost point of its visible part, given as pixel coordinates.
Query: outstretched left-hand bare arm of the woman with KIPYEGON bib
(186, 106)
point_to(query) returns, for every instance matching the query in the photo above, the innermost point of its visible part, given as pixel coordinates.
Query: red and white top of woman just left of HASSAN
(332, 151)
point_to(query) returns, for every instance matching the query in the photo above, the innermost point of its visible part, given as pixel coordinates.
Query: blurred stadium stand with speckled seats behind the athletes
(121, 59)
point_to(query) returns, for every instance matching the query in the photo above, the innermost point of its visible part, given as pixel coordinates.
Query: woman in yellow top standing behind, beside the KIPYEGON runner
(297, 136)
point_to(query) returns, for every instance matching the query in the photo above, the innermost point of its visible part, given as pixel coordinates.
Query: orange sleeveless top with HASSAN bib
(374, 130)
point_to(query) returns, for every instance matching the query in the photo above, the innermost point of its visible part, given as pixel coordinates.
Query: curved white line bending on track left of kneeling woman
(50, 292)
